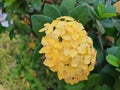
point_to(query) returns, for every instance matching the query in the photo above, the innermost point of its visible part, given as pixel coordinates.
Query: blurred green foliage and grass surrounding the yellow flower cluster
(100, 20)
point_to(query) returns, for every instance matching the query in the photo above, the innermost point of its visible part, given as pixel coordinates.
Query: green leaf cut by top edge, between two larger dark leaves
(68, 4)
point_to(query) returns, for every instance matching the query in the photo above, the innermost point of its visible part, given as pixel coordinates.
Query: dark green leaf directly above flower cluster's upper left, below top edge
(51, 11)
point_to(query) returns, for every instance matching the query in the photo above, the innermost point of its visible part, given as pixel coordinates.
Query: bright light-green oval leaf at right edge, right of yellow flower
(112, 60)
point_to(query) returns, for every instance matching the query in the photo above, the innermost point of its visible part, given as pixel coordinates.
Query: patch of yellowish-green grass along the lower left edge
(8, 50)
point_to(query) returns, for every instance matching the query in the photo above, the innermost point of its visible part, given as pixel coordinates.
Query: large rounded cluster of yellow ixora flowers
(68, 49)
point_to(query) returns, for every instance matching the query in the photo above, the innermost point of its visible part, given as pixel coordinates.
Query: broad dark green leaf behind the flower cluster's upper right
(80, 13)
